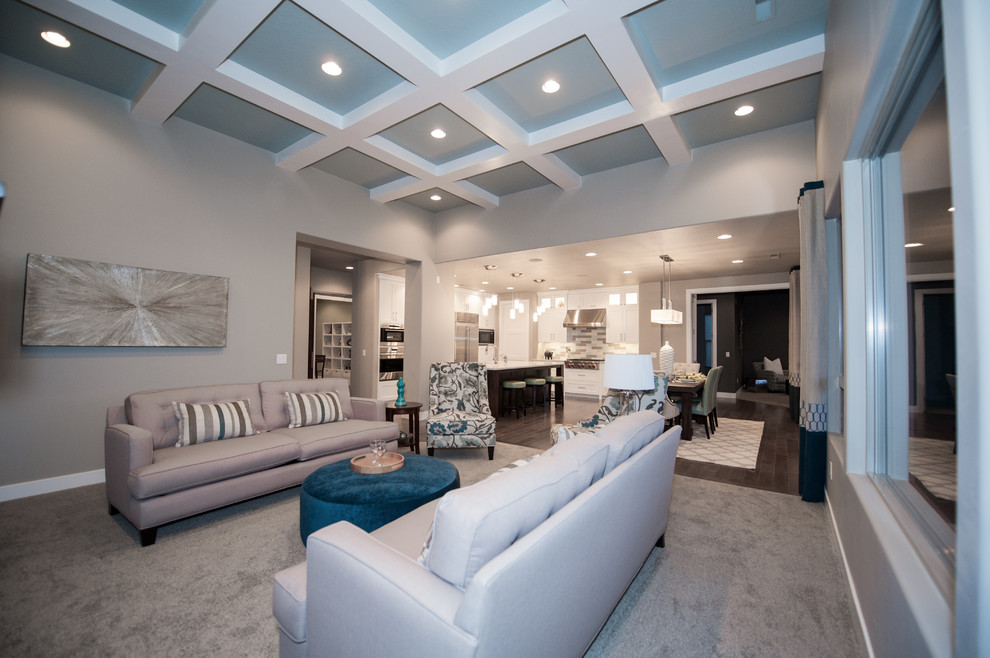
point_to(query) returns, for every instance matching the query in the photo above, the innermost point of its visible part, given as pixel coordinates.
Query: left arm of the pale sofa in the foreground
(356, 586)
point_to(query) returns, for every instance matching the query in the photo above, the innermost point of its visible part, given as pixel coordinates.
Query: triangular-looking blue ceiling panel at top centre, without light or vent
(444, 27)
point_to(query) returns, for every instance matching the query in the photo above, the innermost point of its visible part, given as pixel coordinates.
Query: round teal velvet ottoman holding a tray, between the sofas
(369, 501)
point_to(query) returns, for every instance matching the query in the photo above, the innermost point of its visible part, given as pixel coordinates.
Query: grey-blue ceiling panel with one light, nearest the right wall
(774, 107)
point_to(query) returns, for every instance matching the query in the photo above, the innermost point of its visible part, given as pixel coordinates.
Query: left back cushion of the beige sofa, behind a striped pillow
(152, 410)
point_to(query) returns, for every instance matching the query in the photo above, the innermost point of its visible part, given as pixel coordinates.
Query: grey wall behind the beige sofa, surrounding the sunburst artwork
(87, 180)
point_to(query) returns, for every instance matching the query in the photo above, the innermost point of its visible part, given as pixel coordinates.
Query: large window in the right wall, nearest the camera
(911, 361)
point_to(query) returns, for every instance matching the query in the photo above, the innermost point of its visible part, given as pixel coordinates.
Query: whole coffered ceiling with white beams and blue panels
(636, 80)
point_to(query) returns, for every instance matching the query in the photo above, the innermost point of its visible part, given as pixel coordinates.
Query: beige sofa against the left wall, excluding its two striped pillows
(151, 481)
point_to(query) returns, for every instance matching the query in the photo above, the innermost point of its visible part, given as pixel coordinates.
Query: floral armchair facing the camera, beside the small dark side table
(460, 416)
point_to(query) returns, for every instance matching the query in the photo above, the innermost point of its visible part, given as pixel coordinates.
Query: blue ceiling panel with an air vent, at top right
(666, 34)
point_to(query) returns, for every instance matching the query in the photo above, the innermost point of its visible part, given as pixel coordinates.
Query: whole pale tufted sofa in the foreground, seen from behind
(529, 562)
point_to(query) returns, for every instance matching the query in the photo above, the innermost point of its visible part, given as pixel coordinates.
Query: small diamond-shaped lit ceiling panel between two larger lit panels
(413, 134)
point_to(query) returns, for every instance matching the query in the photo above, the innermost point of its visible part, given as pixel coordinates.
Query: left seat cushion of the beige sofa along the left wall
(175, 469)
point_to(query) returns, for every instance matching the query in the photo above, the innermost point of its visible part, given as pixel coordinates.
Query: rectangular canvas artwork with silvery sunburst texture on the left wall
(73, 302)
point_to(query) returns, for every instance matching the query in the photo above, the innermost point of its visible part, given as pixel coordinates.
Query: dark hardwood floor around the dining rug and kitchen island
(777, 464)
